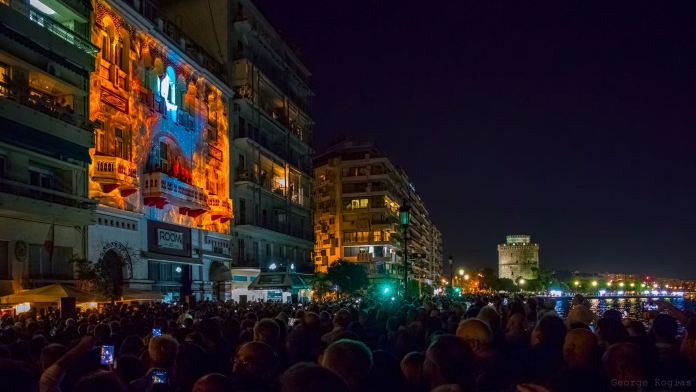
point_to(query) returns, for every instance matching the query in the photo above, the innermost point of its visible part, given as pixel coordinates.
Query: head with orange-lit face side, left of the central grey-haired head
(255, 361)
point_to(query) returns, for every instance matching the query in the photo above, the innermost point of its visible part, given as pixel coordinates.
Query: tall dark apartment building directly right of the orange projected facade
(271, 131)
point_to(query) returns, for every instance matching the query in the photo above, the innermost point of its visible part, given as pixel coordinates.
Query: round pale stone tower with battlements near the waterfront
(517, 257)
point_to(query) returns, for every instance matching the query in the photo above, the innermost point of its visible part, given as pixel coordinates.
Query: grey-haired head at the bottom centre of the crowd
(350, 359)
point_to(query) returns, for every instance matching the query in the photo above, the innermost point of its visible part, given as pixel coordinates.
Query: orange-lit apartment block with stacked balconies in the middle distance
(357, 199)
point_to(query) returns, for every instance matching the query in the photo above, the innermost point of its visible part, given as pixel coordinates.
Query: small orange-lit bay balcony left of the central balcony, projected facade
(113, 172)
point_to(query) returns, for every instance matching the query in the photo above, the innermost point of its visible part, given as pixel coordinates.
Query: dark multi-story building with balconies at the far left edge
(45, 60)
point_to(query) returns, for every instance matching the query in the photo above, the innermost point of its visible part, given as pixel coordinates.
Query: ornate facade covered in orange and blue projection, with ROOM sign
(160, 161)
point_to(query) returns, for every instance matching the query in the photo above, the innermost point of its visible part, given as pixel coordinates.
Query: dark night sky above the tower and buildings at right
(569, 121)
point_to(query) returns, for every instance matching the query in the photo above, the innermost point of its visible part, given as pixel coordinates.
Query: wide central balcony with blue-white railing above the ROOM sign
(160, 189)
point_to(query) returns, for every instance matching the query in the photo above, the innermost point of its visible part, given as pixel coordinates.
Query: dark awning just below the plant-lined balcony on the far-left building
(12, 132)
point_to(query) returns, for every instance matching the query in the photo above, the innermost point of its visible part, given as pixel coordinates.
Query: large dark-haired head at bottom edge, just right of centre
(448, 360)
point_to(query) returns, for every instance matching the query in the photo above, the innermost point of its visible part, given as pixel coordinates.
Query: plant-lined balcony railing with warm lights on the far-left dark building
(44, 103)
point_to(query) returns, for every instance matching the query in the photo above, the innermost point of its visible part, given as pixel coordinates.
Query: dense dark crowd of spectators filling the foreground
(354, 344)
